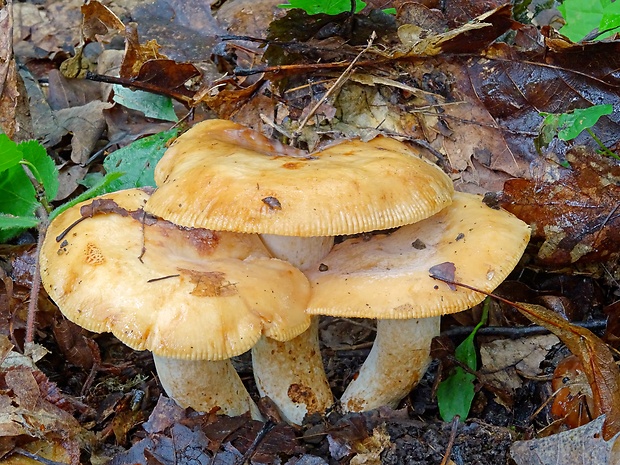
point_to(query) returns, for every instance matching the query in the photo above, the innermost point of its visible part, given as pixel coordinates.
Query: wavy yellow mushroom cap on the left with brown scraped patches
(179, 292)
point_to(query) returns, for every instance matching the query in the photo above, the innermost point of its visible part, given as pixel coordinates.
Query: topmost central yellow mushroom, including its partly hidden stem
(223, 176)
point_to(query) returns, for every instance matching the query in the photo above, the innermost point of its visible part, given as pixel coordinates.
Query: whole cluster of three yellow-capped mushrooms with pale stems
(235, 250)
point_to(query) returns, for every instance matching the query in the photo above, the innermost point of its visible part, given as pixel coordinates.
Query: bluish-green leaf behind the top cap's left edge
(137, 161)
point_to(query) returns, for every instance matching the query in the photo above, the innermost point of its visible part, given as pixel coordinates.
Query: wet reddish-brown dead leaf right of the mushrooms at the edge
(574, 212)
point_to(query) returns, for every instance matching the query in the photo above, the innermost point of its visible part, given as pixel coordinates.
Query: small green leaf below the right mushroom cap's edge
(456, 393)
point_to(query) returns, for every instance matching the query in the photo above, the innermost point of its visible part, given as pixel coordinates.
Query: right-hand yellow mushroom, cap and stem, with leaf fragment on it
(387, 278)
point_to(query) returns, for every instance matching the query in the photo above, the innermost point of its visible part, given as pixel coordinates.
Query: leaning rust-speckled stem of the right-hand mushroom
(397, 361)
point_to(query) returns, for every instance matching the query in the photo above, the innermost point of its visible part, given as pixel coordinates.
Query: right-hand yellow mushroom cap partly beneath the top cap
(387, 277)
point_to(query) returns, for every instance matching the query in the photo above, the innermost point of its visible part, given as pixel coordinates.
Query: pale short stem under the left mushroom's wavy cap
(205, 385)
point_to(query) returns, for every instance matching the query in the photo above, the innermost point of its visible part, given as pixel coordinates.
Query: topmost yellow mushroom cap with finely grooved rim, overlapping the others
(223, 176)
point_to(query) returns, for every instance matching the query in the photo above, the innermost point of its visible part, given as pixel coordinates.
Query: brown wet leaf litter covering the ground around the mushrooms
(466, 86)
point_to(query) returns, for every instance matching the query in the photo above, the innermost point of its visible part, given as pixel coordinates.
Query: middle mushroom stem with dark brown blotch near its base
(291, 373)
